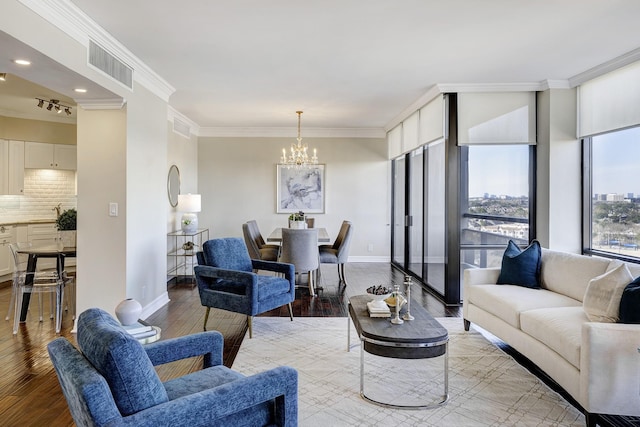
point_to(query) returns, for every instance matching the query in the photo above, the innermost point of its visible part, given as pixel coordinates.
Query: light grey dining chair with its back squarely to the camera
(300, 248)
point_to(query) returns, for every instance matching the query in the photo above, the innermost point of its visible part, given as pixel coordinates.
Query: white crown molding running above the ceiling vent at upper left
(68, 18)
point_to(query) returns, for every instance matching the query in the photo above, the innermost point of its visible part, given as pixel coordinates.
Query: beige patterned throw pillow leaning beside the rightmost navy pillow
(602, 297)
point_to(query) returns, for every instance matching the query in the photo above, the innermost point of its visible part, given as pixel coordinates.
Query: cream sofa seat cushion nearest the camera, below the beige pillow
(558, 328)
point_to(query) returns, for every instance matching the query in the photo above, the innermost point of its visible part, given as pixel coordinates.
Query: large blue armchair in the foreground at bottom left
(113, 381)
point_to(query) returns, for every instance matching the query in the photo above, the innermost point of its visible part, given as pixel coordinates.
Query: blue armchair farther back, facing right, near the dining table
(226, 280)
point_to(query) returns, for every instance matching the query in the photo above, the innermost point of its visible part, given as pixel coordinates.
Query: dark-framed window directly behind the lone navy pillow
(496, 205)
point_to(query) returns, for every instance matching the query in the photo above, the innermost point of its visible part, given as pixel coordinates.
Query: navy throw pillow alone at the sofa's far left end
(521, 267)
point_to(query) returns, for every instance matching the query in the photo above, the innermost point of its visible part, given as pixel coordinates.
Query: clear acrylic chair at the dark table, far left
(24, 281)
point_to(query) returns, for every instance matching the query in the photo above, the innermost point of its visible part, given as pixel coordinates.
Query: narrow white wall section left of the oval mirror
(146, 177)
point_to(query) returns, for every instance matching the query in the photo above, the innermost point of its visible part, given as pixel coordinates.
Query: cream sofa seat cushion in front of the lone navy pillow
(508, 301)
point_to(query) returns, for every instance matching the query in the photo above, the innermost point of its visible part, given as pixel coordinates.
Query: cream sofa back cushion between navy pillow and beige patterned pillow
(569, 274)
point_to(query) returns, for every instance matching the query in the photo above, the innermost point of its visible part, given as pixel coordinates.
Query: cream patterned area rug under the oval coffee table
(486, 386)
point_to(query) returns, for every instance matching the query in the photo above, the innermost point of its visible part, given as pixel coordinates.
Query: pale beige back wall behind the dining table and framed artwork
(237, 181)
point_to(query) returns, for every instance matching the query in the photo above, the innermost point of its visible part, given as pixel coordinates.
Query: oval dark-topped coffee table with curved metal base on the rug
(420, 338)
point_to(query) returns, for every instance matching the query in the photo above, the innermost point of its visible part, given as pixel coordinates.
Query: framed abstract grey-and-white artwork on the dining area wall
(300, 188)
